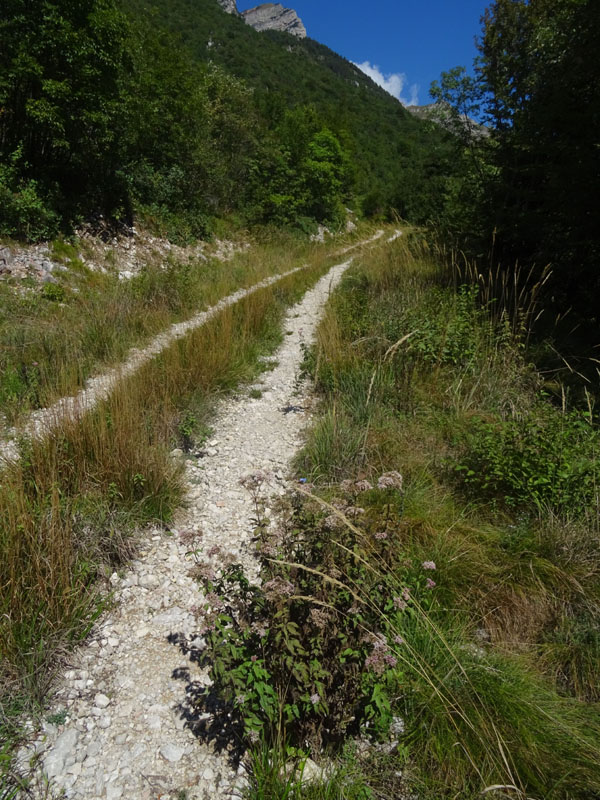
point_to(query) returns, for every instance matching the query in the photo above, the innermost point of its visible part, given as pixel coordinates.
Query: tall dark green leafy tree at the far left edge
(60, 66)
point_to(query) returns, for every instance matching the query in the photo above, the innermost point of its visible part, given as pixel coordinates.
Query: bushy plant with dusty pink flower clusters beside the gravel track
(322, 643)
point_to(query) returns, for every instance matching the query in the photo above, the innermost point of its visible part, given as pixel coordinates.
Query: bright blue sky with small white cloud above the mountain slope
(412, 41)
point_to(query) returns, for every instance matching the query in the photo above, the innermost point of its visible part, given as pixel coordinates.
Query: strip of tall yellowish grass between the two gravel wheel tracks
(70, 507)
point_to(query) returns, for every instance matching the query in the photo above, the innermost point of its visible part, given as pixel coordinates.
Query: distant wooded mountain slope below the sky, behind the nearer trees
(389, 147)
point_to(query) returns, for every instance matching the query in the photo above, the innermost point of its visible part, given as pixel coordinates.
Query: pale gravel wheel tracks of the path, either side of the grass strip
(121, 724)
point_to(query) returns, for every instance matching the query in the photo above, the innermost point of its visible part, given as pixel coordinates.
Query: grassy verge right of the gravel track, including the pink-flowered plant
(430, 606)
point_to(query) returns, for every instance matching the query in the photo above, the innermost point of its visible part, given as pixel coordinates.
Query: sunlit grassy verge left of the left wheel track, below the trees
(55, 336)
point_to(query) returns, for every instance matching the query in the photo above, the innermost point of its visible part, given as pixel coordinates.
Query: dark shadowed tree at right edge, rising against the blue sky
(540, 69)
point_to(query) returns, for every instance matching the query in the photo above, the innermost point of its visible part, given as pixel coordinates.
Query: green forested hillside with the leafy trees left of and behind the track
(180, 113)
